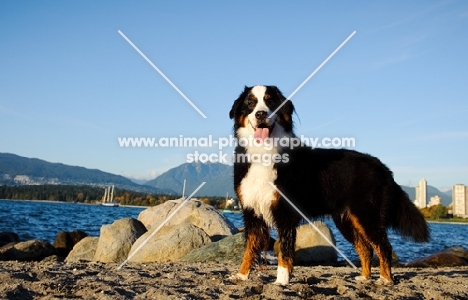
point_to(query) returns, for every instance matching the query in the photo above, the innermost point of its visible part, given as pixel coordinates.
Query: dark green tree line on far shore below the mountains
(91, 195)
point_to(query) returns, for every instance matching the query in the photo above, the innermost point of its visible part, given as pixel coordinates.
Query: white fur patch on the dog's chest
(257, 193)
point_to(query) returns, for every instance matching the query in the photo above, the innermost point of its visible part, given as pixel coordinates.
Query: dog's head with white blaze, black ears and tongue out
(252, 112)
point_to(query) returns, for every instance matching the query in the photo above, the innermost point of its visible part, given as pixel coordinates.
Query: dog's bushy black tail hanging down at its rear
(407, 220)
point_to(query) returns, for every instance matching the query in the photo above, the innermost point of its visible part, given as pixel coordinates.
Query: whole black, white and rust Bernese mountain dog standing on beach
(357, 190)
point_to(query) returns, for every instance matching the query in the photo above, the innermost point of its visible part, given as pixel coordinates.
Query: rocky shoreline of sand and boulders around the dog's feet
(193, 255)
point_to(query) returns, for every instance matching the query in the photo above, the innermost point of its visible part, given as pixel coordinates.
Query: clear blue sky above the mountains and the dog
(70, 85)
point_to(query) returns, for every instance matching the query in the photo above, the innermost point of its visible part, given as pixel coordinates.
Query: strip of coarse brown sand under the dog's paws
(52, 279)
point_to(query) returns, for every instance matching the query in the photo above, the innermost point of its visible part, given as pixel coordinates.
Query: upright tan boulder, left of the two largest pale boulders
(116, 239)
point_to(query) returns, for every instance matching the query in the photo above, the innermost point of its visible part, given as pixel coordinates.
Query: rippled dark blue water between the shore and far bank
(44, 220)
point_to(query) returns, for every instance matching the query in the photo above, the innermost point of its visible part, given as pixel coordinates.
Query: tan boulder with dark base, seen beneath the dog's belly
(311, 247)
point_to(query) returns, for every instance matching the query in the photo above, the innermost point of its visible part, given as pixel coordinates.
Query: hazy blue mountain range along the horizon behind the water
(17, 170)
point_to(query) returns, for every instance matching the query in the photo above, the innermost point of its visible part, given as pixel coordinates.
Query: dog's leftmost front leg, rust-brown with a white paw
(257, 235)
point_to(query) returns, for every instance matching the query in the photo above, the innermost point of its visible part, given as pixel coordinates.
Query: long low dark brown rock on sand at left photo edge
(34, 250)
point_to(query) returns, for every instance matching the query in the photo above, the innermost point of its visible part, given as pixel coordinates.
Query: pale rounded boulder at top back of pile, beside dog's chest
(195, 212)
